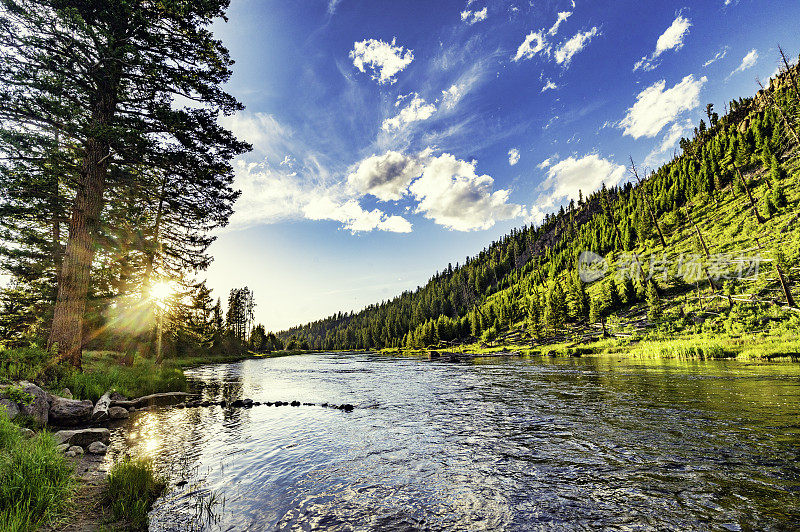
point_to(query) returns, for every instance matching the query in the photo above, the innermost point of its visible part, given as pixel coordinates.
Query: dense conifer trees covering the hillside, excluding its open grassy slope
(528, 279)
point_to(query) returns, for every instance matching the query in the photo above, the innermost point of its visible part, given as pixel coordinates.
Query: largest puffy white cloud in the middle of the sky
(452, 195)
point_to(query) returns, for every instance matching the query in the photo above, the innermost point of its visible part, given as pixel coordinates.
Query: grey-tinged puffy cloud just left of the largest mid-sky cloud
(386, 176)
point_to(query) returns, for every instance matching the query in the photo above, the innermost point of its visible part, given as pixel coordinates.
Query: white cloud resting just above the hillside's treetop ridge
(587, 174)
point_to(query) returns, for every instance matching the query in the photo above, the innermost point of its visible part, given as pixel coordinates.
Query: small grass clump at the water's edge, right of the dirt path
(132, 487)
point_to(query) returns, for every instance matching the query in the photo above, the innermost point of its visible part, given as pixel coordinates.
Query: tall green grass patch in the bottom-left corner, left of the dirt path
(35, 479)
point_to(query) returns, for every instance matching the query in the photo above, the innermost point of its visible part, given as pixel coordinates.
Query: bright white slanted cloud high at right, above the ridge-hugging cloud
(656, 107)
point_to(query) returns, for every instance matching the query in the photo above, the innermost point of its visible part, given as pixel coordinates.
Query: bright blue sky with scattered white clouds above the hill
(392, 138)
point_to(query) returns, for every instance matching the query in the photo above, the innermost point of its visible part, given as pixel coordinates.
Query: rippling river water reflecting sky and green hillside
(493, 444)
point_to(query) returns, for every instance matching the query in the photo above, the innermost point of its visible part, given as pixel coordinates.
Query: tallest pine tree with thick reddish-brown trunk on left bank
(102, 76)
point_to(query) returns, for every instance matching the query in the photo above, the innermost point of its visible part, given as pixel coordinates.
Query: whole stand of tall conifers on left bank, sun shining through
(109, 185)
